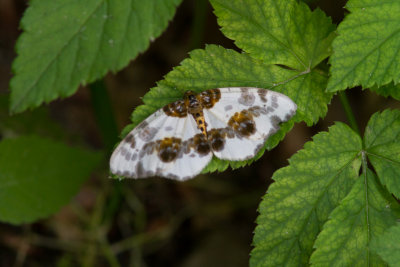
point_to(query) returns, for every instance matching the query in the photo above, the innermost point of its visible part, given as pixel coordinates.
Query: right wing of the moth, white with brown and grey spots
(242, 119)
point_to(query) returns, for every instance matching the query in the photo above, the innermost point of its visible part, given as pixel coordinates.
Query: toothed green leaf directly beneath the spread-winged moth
(216, 67)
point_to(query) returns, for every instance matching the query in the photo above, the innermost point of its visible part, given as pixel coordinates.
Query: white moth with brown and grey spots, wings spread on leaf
(180, 139)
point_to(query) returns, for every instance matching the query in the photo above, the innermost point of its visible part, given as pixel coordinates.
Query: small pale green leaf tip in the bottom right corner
(388, 246)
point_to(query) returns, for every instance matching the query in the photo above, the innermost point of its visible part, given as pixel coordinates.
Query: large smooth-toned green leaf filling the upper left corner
(67, 43)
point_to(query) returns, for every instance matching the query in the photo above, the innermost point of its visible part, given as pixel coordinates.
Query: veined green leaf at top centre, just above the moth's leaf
(278, 32)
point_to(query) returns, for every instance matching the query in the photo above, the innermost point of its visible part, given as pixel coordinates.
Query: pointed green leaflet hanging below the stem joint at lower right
(363, 214)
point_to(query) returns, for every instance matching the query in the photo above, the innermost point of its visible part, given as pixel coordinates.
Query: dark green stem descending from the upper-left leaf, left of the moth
(104, 114)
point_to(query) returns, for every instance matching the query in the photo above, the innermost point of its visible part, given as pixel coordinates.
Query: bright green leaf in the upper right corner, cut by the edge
(366, 50)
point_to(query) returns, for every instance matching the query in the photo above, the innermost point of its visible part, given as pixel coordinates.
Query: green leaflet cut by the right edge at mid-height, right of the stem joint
(382, 144)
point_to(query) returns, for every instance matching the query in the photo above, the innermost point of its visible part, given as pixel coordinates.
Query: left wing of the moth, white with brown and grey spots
(162, 145)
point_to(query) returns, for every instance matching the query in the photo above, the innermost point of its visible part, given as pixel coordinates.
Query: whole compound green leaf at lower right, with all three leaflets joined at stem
(321, 182)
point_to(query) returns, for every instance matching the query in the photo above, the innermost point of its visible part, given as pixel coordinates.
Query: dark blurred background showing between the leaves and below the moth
(207, 221)
